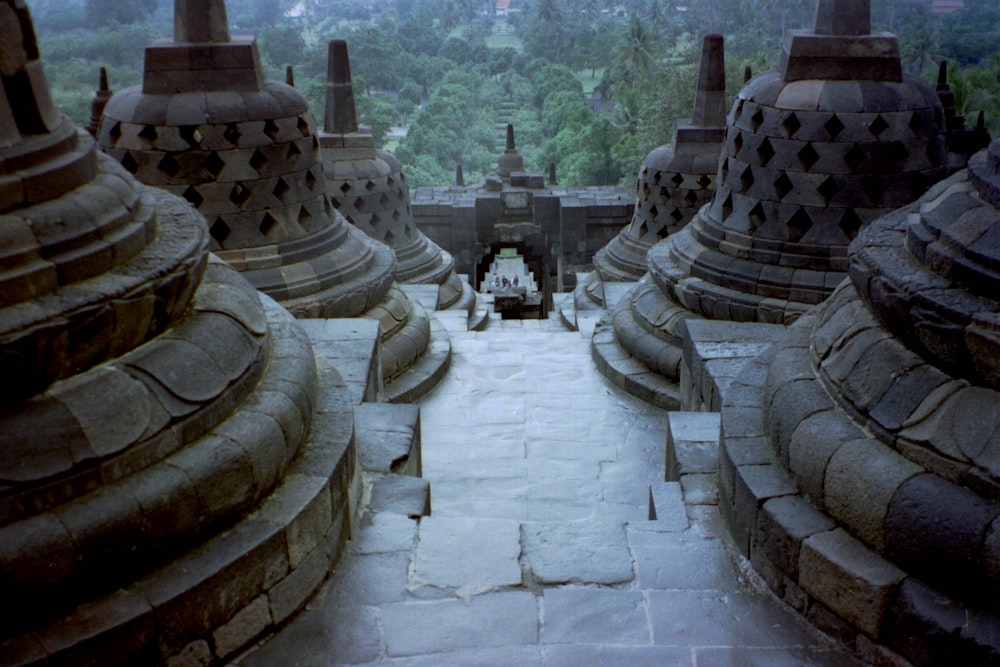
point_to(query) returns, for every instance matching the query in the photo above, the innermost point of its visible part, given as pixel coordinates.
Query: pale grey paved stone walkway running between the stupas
(539, 550)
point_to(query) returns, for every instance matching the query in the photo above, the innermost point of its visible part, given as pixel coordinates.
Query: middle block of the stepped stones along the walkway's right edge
(692, 456)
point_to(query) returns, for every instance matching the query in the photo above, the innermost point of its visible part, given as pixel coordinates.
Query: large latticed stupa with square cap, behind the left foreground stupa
(245, 153)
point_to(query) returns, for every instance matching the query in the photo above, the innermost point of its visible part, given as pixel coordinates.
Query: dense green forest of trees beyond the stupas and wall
(590, 85)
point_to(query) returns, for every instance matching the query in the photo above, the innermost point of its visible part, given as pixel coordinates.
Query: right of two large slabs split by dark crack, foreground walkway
(582, 552)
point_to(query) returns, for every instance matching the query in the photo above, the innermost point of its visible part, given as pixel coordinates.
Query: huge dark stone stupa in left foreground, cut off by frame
(161, 492)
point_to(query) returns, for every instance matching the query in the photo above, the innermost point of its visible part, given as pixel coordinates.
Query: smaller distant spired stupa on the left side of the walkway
(369, 188)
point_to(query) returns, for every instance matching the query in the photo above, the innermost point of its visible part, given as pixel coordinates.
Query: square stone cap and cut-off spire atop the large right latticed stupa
(841, 47)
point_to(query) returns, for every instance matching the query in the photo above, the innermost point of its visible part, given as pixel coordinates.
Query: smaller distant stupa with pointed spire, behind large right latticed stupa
(675, 180)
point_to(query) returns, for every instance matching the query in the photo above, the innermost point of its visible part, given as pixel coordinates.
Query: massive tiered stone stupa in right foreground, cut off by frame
(860, 458)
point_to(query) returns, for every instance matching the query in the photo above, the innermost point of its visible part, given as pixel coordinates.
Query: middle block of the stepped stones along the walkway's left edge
(387, 436)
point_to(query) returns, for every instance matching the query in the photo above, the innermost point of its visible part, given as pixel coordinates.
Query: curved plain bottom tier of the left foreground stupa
(214, 600)
